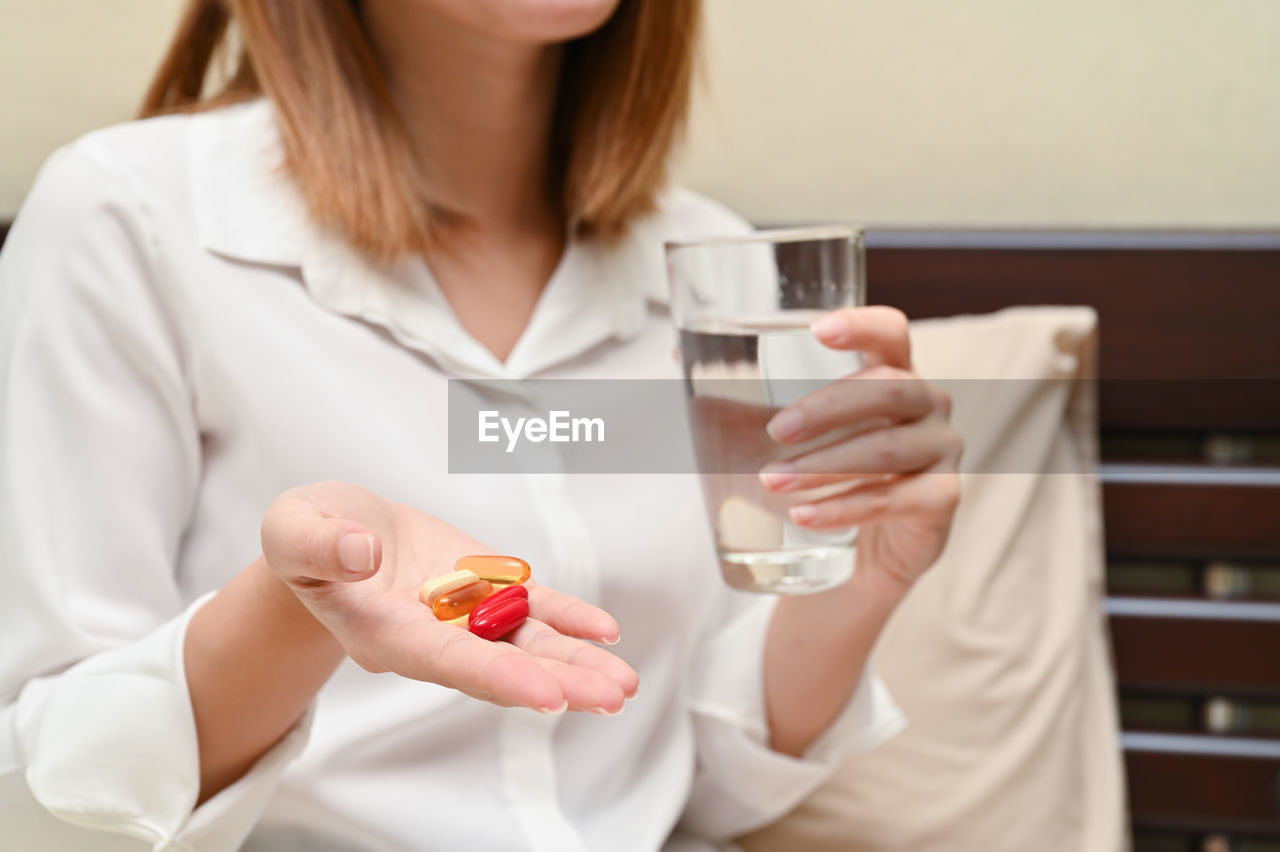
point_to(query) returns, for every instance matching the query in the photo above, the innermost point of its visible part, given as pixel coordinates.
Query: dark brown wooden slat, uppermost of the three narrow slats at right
(1167, 520)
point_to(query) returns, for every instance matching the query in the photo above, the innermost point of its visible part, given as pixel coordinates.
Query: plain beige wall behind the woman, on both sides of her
(1096, 113)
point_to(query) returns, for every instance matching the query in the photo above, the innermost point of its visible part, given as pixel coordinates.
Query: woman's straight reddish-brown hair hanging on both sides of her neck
(623, 100)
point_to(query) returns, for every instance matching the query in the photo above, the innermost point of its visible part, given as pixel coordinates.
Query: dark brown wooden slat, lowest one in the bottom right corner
(1204, 794)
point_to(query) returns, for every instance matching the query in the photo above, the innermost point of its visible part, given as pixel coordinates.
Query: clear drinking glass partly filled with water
(743, 306)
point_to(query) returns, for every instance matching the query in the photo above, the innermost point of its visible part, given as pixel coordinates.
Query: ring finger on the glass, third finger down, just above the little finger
(900, 450)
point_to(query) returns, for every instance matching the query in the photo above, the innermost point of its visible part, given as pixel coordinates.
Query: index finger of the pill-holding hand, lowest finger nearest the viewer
(454, 657)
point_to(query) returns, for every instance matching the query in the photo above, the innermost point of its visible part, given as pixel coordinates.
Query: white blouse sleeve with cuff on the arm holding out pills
(99, 466)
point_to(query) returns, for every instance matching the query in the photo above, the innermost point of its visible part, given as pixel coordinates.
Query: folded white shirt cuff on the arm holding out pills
(113, 748)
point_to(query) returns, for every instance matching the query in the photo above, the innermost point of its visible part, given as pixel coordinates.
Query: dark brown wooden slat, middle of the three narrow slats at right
(1204, 657)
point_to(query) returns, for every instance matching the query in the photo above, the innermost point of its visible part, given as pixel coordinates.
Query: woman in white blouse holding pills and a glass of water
(271, 287)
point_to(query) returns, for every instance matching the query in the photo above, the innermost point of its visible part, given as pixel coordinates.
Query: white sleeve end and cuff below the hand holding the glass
(742, 784)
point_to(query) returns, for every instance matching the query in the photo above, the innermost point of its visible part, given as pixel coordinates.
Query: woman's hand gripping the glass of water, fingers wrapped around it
(902, 470)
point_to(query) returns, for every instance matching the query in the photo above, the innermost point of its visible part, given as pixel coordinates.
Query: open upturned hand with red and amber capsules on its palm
(356, 562)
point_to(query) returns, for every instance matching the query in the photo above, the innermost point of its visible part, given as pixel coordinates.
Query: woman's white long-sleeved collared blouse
(179, 345)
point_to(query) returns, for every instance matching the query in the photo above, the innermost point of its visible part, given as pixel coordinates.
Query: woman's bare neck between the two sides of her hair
(479, 112)
